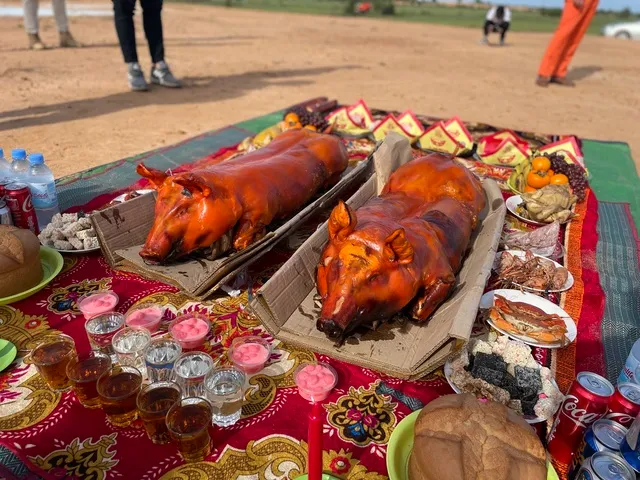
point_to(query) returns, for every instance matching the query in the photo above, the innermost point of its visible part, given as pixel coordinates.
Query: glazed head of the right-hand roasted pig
(363, 275)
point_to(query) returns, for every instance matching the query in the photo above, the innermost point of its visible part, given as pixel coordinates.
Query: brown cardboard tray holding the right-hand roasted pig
(288, 305)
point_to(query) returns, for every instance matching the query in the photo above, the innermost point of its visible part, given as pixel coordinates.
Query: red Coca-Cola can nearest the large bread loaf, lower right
(587, 401)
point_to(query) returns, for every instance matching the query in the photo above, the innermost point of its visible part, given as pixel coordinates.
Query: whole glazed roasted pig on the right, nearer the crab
(401, 249)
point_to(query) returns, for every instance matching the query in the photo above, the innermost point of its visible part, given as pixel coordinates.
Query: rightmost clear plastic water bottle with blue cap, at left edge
(43, 190)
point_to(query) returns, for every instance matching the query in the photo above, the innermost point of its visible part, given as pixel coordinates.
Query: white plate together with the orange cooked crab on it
(526, 317)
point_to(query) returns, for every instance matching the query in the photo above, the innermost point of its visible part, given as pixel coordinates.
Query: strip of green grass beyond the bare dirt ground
(460, 16)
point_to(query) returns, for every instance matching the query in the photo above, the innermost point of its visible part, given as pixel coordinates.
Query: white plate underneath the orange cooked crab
(545, 305)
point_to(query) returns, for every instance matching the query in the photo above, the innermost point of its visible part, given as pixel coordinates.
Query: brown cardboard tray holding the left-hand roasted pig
(122, 230)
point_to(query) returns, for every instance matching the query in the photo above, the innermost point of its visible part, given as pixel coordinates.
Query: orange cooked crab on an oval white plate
(526, 320)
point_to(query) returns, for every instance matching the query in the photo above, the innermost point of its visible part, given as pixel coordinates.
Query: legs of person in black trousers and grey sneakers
(152, 22)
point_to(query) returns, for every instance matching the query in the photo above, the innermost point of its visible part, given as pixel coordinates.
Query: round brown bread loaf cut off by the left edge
(20, 266)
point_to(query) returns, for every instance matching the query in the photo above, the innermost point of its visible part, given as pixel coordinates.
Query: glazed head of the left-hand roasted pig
(189, 215)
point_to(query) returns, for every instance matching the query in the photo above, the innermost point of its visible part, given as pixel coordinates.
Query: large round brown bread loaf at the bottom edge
(458, 437)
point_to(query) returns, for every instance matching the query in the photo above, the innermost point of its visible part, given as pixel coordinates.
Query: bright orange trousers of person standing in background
(571, 29)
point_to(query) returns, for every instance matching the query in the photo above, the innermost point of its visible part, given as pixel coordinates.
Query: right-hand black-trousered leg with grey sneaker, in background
(152, 21)
